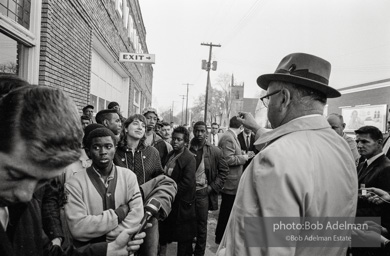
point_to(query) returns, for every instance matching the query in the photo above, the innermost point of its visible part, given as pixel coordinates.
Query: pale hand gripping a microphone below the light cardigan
(123, 246)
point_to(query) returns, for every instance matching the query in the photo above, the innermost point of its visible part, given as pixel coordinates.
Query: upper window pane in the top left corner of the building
(17, 10)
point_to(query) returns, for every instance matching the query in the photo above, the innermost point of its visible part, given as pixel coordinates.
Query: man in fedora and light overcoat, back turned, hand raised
(304, 170)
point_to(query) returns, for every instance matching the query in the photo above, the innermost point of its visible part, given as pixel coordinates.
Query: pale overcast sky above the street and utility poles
(353, 35)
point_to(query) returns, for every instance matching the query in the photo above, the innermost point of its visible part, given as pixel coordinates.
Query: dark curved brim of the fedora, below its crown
(264, 80)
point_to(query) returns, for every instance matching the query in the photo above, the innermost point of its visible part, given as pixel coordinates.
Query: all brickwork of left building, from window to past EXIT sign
(66, 44)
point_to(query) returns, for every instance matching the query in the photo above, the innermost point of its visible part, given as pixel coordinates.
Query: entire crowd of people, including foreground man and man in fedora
(83, 185)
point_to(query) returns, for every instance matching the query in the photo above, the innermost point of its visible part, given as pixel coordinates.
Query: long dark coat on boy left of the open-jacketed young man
(180, 225)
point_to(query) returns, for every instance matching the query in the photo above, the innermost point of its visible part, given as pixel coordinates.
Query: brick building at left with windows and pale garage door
(74, 45)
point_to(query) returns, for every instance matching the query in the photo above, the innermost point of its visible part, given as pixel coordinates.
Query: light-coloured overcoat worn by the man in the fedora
(305, 170)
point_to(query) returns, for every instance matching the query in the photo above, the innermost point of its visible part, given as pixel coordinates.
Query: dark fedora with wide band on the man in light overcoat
(302, 69)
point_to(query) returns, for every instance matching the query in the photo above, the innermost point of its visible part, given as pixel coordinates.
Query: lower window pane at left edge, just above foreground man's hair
(9, 55)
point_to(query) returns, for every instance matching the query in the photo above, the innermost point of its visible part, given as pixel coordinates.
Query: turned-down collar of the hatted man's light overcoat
(300, 124)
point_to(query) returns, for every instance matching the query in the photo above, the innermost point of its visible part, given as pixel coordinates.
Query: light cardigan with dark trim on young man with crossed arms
(85, 212)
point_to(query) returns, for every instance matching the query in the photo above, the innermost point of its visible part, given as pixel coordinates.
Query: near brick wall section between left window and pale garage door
(65, 58)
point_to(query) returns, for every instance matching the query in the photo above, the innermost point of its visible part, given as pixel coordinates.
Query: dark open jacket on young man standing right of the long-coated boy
(216, 172)
